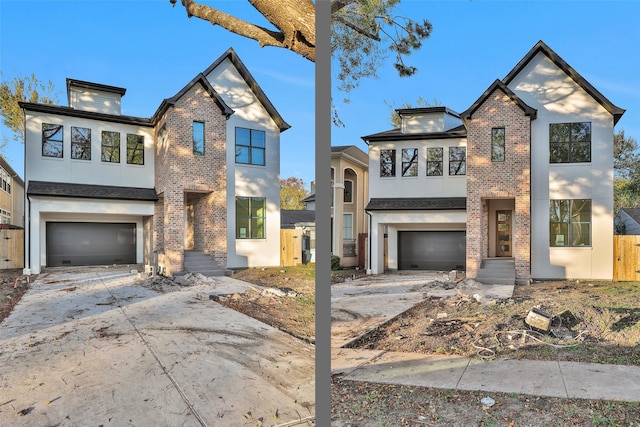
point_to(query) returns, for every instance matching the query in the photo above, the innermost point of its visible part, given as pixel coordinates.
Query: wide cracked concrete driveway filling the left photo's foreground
(98, 347)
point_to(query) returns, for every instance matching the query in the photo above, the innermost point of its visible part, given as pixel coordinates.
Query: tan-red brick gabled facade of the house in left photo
(184, 179)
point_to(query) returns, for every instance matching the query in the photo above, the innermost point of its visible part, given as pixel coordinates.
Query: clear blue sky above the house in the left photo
(152, 49)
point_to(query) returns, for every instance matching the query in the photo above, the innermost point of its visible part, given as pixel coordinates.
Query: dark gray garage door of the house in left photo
(89, 243)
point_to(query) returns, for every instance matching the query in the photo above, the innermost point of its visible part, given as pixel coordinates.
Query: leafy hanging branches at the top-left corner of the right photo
(363, 33)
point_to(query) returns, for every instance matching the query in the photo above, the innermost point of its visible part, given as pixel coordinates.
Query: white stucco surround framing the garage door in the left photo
(50, 209)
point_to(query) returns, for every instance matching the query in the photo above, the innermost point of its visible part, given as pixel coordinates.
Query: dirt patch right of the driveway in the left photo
(287, 302)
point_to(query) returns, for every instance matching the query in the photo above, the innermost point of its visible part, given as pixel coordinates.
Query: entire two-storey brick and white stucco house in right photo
(524, 175)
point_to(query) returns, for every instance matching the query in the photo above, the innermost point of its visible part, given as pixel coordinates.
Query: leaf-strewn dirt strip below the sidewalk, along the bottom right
(361, 404)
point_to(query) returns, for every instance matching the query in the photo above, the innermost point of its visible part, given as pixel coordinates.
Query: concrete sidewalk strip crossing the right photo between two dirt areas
(538, 378)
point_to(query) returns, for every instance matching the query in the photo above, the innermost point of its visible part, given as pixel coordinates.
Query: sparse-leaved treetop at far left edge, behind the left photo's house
(22, 89)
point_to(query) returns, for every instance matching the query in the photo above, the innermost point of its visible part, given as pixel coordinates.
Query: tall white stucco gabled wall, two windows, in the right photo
(559, 99)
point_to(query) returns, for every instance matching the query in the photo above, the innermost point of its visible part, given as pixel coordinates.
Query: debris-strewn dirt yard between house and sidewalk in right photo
(592, 322)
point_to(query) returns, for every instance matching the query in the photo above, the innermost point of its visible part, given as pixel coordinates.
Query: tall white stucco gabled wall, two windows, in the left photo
(249, 180)
